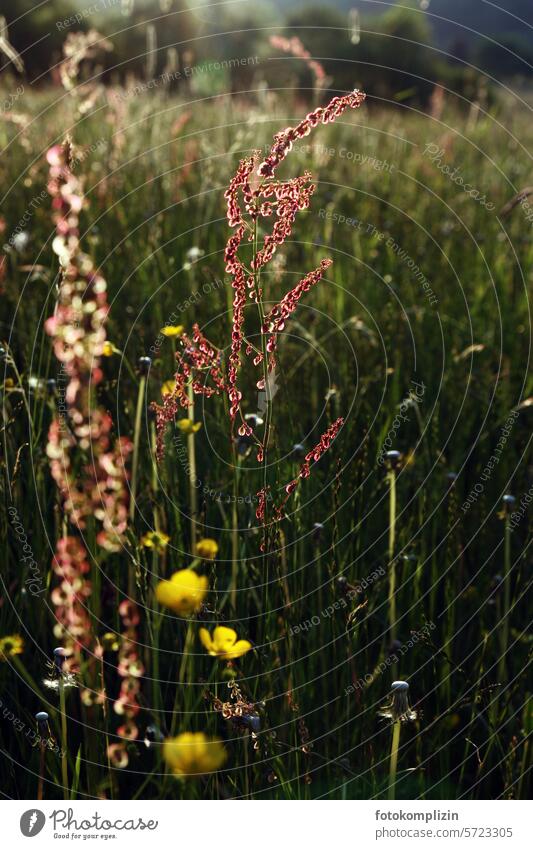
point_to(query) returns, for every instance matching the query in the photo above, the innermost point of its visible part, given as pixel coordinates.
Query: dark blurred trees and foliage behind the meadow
(399, 51)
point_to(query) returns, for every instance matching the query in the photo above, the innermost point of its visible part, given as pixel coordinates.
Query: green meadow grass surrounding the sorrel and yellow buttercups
(358, 345)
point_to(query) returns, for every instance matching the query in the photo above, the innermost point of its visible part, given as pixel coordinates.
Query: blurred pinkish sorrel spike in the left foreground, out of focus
(90, 470)
